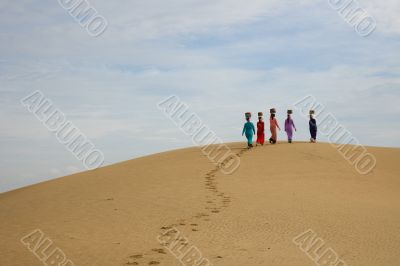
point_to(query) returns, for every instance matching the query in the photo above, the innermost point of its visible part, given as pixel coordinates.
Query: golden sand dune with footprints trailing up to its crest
(113, 215)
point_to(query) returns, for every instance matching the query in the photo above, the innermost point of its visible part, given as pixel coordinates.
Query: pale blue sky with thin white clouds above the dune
(221, 57)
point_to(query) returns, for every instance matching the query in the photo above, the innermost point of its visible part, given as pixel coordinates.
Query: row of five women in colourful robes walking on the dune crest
(249, 129)
